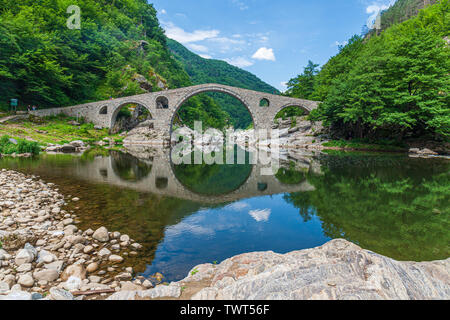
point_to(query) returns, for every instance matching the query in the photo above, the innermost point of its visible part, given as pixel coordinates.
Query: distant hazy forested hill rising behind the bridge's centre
(202, 70)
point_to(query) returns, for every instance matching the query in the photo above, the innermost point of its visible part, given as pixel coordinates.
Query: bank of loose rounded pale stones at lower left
(43, 255)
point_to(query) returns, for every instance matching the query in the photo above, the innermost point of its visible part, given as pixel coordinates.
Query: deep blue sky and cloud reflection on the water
(257, 224)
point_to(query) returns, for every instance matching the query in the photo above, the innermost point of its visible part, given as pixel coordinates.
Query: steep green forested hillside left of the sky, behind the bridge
(44, 63)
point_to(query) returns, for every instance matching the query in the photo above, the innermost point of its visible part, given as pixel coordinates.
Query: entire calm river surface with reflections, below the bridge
(186, 215)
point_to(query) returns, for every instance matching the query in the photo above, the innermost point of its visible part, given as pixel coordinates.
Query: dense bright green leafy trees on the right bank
(394, 85)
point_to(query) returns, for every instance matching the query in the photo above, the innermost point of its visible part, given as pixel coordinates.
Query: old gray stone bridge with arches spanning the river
(163, 106)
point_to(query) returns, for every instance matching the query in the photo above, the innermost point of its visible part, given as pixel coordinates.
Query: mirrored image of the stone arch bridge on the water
(150, 170)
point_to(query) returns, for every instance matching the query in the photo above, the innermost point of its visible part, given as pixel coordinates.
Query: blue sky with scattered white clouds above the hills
(272, 39)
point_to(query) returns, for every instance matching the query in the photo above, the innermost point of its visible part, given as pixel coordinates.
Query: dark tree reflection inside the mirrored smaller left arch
(129, 168)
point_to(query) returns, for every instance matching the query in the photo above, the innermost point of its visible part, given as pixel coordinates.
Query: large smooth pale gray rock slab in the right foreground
(337, 270)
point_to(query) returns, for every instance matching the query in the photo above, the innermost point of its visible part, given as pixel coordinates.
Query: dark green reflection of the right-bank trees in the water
(401, 210)
